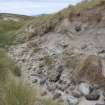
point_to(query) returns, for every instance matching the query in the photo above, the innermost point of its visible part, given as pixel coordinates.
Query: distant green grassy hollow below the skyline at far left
(8, 28)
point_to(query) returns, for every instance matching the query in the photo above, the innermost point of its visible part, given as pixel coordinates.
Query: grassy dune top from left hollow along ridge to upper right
(11, 30)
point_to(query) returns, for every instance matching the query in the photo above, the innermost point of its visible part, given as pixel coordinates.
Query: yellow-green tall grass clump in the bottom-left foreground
(18, 93)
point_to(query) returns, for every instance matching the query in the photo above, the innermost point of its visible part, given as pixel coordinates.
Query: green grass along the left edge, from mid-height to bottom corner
(12, 90)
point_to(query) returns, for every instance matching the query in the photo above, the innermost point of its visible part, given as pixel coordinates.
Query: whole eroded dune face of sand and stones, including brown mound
(74, 49)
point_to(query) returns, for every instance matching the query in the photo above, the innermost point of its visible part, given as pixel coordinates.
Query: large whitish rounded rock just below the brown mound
(84, 89)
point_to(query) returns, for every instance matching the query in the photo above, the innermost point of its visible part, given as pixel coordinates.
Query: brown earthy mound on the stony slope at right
(90, 69)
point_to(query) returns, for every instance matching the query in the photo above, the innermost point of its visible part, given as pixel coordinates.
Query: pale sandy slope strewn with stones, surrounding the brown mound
(48, 61)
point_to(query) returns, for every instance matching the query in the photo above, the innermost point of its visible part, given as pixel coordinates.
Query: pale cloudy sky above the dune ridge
(34, 7)
